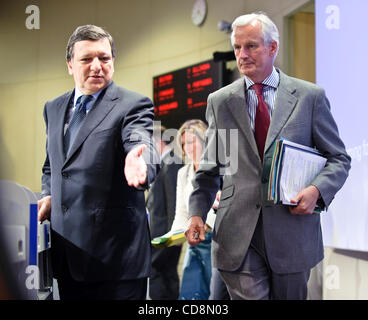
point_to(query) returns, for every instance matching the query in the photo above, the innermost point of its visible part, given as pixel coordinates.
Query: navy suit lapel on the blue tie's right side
(101, 108)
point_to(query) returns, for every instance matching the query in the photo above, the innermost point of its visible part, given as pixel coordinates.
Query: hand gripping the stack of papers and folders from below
(306, 200)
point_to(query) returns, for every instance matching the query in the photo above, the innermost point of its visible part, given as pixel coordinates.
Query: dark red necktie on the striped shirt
(262, 121)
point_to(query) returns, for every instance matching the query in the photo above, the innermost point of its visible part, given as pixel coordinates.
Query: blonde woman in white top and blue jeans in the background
(197, 262)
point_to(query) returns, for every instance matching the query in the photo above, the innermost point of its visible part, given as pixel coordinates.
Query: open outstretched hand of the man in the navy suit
(135, 169)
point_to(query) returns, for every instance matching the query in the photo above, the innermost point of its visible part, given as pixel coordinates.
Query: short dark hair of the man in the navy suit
(88, 32)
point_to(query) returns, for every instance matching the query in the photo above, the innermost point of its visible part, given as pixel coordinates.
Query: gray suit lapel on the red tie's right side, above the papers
(284, 106)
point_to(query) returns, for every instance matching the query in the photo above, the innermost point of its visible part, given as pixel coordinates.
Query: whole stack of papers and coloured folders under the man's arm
(293, 168)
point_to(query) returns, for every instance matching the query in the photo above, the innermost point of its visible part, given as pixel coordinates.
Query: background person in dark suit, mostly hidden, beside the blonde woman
(161, 203)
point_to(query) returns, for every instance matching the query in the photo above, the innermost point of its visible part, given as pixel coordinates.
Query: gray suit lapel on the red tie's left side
(238, 108)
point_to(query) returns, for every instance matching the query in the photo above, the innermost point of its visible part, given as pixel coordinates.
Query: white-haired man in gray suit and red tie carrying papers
(264, 251)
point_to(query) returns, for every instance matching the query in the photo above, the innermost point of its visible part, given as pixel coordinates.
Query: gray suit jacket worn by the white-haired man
(302, 114)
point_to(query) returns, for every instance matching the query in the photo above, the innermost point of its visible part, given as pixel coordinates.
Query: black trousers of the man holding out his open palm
(70, 289)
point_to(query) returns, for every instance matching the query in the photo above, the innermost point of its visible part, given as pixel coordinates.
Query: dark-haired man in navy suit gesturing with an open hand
(100, 158)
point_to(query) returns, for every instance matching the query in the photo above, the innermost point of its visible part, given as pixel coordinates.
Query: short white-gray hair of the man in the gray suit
(269, 29)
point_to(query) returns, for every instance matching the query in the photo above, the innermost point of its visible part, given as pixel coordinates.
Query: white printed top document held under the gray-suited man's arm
(298, 170)
